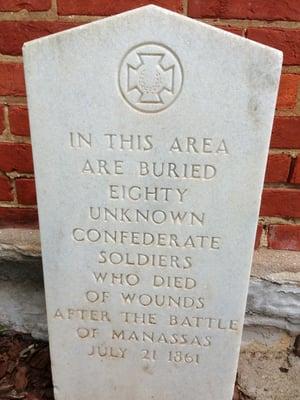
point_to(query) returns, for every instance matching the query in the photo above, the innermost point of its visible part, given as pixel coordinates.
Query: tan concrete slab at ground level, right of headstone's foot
(268, 367)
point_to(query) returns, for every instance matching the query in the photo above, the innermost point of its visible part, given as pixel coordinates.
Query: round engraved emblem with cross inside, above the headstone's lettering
(150, 77)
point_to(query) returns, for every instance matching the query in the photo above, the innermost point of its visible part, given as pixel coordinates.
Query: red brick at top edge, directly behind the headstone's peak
(108, 7)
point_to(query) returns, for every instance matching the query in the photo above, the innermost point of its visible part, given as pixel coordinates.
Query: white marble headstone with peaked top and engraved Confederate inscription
(150, 135)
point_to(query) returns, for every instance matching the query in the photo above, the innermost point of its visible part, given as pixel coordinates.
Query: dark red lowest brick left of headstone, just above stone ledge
(14, 217)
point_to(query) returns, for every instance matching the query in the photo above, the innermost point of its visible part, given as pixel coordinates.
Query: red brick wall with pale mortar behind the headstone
(273, 22)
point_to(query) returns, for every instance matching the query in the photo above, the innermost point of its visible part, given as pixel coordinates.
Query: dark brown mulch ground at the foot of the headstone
(25, 368)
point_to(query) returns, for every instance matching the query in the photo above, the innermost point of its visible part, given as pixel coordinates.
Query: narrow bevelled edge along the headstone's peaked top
(151, 10)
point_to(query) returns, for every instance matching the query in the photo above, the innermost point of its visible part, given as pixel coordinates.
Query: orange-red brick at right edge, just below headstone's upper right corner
(288, 89)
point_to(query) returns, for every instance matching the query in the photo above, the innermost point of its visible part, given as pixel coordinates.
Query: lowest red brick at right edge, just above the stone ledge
(284, 237)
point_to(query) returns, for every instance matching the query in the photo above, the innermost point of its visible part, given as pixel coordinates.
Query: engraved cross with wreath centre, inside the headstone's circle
(150, 78)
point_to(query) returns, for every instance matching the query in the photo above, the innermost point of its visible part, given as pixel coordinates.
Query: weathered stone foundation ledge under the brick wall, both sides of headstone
(273, 299)
